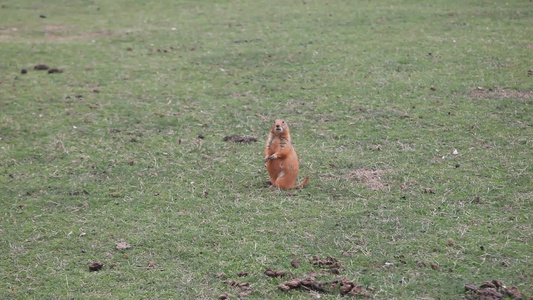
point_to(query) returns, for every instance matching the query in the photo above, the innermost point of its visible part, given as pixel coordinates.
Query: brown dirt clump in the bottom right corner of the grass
(492, 290)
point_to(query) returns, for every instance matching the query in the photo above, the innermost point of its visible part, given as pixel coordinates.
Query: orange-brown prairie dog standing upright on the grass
(280, 158)
